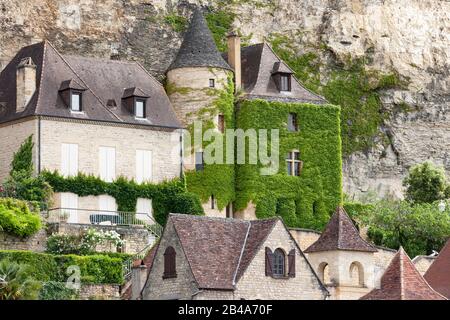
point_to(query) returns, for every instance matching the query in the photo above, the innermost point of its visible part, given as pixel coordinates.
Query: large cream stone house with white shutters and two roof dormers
(83, 113)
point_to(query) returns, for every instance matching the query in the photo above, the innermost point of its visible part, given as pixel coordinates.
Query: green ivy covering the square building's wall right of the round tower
(306, 201)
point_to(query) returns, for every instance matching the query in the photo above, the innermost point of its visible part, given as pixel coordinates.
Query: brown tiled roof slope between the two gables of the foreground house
(214, 246)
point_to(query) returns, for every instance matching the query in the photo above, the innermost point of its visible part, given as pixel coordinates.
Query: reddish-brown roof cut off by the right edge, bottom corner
(438, 274)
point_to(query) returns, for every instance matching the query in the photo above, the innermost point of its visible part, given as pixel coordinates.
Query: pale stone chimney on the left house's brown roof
(25, 83)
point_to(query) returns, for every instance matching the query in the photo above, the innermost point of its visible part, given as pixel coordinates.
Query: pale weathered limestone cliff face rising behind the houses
(409, 37)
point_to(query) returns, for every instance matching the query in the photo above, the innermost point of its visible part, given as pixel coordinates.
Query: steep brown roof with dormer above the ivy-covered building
(258, 63)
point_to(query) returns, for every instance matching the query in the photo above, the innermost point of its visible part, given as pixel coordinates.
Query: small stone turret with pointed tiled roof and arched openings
(343, 260)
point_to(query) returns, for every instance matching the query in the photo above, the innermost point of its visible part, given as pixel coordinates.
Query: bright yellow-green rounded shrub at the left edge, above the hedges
(17, 219)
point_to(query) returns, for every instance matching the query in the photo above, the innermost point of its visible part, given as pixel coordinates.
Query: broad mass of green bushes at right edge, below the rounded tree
(419, 228)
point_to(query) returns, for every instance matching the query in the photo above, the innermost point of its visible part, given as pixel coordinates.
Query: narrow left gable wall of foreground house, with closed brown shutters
(182, 287)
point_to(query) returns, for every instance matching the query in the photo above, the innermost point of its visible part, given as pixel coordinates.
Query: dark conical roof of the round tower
(198, 48)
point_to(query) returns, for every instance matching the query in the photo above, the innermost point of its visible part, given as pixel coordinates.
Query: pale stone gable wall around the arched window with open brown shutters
(254, 284)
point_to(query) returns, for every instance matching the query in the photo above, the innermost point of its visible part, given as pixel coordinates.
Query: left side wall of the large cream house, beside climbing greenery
(12, 135)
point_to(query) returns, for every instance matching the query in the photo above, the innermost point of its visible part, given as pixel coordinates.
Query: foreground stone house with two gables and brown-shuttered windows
(218, 258)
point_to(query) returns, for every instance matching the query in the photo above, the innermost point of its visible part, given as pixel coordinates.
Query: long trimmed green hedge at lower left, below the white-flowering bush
(98, 269)
